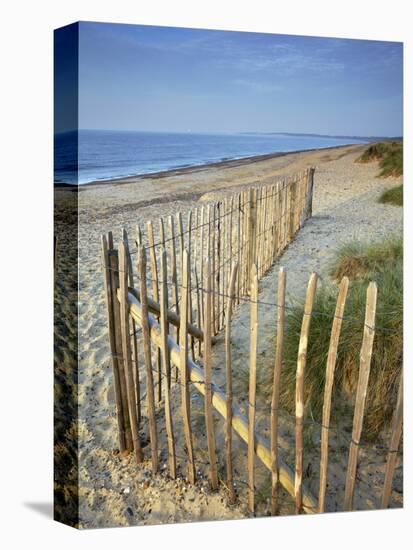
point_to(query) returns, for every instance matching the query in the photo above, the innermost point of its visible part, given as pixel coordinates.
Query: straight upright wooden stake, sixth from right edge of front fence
(252, 386)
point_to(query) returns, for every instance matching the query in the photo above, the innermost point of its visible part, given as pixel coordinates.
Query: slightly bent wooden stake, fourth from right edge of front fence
(299, 391)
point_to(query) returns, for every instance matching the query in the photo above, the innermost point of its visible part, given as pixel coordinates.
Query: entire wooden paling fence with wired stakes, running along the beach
(182, 293)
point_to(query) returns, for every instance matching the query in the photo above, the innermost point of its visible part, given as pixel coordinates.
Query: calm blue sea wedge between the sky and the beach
(86, 156)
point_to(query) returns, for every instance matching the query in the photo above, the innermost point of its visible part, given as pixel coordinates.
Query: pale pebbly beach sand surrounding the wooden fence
(113, 489)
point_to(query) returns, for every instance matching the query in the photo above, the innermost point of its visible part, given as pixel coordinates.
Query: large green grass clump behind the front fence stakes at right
(383, 263)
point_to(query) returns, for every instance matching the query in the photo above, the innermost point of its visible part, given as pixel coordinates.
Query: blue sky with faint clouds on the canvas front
(169, 79)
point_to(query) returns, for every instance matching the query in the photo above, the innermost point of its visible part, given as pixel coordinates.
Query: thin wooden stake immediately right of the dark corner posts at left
(124, 314)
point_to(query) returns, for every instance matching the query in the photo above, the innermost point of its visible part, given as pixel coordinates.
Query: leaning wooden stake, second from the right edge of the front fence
(364, 373)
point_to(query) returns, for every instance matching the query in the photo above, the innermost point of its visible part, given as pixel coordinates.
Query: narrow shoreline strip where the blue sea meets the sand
(196, 168)
